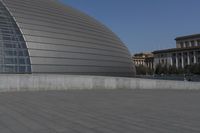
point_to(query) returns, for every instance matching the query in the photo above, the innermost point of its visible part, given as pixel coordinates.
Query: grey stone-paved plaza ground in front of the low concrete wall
(100, 111)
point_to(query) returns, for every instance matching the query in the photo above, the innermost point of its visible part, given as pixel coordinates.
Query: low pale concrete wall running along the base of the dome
(65, 82)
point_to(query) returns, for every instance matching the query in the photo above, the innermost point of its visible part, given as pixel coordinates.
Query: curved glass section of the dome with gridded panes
(14, 56)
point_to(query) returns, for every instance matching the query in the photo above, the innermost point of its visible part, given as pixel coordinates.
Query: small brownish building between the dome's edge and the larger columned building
(144, 59)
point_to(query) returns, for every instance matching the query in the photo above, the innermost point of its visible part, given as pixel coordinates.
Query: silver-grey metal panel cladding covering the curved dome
(61, 39)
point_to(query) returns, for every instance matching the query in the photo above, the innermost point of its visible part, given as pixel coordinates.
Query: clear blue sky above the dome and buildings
(144, 25)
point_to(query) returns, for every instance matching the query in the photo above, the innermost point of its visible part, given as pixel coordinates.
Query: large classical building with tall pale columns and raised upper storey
(187, 52)
